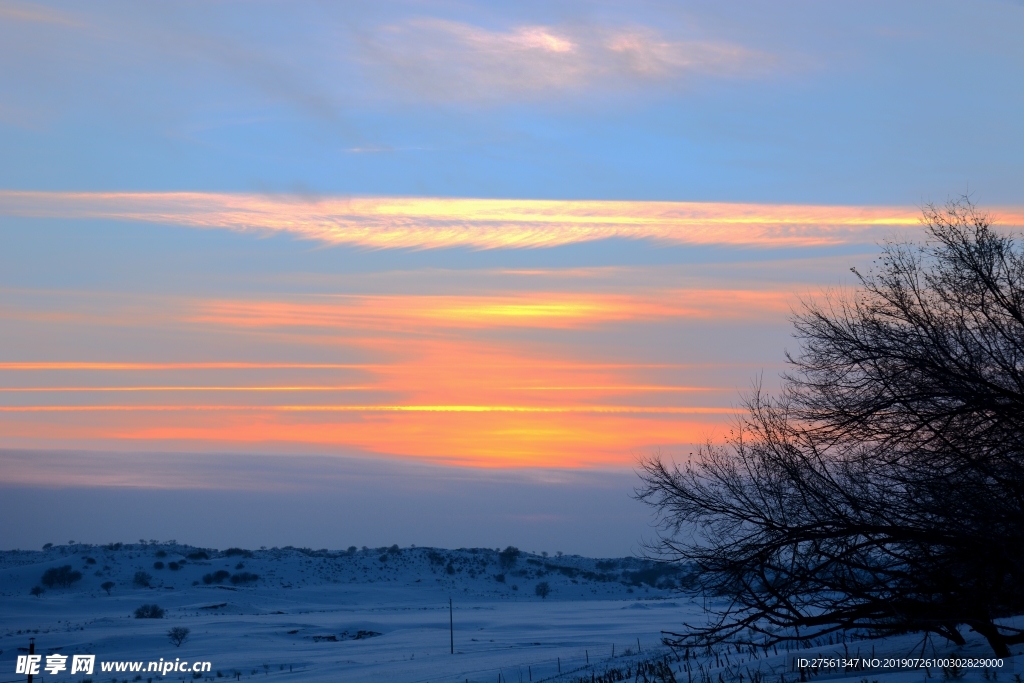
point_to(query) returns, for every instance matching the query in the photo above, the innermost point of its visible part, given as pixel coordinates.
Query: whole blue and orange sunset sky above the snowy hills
(444, 273)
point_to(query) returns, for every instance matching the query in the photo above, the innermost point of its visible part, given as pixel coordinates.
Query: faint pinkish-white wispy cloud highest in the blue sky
(447, 61)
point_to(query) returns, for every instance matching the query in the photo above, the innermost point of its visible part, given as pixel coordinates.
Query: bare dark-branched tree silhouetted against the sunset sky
(883, 492)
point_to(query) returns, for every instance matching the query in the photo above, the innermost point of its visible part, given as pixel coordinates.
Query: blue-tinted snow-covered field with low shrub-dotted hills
(382, 615)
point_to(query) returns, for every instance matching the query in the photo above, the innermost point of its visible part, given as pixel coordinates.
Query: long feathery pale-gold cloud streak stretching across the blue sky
(400, 223)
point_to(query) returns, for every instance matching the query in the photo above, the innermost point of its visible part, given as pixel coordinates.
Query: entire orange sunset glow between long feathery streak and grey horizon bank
(497, 378)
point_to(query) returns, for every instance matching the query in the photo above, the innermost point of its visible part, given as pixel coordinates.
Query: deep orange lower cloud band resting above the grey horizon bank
(453, 401)
